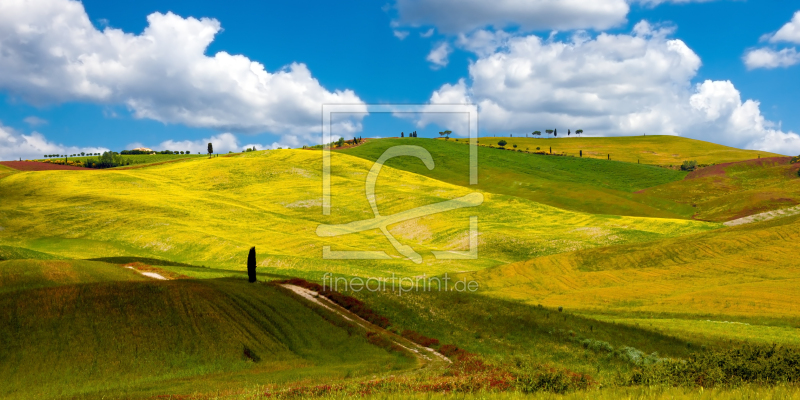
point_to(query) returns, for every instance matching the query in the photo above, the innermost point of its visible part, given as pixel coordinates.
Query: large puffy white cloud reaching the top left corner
(50, 53)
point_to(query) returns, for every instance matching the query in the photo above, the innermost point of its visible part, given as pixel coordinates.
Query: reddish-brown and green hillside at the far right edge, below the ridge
(731, 191)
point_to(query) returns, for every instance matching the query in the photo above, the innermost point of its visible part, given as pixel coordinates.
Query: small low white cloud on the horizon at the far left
(15, 145)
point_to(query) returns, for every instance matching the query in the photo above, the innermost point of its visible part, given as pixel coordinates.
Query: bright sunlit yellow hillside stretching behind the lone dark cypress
(211, 211)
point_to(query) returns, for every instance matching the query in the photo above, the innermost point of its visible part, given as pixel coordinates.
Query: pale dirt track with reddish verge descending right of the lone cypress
(424, 354)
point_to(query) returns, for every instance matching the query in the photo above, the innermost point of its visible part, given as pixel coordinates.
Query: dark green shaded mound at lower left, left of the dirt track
(137, 339)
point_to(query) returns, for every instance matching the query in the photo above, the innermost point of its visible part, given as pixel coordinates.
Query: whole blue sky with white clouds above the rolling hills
(102, 75)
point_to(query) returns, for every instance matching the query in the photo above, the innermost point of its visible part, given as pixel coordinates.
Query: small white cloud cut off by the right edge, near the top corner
(766, 57)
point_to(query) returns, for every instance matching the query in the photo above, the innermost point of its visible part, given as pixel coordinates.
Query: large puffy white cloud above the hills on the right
(610, 85)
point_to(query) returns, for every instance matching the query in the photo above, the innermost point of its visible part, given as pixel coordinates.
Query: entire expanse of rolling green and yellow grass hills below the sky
(636, 255)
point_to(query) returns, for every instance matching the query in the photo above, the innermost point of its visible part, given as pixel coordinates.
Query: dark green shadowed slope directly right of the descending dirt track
(507, 331)
